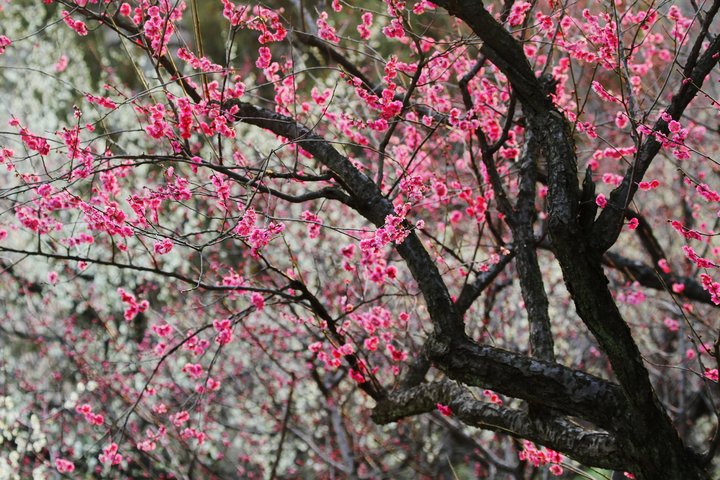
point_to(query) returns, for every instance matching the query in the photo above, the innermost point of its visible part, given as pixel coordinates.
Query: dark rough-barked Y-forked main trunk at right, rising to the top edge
(654, 445)
